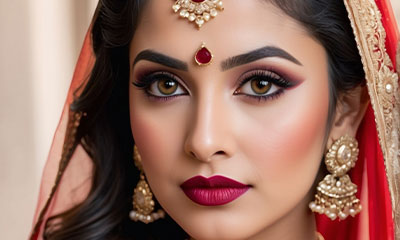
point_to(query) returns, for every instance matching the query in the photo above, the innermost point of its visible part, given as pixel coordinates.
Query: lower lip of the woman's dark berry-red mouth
(214, 196)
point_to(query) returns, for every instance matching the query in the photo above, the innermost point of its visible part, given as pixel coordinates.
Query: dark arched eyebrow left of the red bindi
(162, 59)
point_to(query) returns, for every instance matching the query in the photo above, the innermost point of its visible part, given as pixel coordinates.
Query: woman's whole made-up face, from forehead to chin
(258, 120)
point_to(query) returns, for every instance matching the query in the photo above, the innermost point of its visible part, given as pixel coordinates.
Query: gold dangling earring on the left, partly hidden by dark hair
(143, 203)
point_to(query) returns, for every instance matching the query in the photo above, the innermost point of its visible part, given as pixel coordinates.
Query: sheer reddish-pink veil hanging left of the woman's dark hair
(66, 180)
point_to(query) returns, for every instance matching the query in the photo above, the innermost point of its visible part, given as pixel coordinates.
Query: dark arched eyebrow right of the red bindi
(264, 52)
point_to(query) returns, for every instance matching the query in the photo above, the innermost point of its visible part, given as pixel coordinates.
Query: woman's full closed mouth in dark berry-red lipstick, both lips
(213, 191)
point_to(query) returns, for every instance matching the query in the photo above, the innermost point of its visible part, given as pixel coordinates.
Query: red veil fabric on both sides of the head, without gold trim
(67, 181)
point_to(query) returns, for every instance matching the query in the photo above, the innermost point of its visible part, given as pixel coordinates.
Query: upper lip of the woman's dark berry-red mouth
(212, 182)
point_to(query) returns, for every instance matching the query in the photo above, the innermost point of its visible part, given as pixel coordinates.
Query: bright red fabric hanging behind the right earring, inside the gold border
(376, 203)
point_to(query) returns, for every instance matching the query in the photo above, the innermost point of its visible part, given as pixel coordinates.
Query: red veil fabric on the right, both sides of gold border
(376, 220)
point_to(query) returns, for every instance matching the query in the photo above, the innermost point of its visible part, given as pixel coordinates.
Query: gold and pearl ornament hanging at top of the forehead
(198, 11)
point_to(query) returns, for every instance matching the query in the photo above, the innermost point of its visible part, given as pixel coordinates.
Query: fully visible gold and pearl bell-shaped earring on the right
(336, 193)
